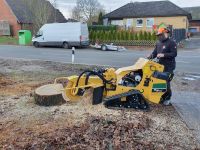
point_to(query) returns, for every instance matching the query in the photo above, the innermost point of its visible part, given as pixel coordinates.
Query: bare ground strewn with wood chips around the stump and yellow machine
(25, 125)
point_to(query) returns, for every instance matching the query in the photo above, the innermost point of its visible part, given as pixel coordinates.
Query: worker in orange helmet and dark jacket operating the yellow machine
(165, 51)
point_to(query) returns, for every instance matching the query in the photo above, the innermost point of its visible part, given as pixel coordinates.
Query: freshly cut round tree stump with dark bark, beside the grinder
(49, 95)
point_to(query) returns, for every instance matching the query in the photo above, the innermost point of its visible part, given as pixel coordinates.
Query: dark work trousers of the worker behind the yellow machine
(168, 94)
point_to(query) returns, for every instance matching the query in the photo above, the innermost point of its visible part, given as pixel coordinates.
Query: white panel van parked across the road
(62, 34)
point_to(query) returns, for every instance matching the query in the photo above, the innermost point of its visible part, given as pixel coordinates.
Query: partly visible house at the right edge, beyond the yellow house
(194, 24)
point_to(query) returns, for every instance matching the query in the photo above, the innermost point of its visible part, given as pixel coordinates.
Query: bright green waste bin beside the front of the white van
(24, 37)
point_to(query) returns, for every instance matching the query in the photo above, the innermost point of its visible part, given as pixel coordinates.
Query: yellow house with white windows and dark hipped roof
(148, 15)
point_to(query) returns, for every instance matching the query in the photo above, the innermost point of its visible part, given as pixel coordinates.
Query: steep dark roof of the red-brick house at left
(24, 14)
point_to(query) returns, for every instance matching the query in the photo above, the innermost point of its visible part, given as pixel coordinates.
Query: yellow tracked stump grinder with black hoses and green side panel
(125, 88)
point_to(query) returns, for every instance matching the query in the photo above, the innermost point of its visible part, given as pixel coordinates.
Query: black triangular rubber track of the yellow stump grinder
(134, 100)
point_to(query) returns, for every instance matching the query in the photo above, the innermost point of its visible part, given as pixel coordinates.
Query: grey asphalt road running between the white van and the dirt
(188, 60)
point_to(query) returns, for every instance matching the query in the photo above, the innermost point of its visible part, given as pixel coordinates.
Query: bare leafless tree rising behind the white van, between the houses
(87, 10)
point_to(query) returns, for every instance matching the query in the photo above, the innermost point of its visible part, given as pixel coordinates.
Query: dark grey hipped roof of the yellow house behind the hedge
(147, 9)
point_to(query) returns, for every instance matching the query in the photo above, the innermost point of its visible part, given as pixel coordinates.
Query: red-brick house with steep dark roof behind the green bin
(20, 17)
